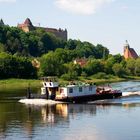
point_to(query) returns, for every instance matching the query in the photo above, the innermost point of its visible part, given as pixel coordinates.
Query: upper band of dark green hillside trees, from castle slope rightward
(39, 42)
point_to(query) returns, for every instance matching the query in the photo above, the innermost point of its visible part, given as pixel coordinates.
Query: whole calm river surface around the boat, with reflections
(117, 119)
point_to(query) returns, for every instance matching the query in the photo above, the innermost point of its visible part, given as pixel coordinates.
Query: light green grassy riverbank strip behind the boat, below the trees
(13, 84)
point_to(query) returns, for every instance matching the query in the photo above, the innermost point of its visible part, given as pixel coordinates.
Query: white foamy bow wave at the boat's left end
(38, 102)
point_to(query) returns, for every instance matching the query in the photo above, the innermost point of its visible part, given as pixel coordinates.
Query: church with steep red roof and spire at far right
(129, 52)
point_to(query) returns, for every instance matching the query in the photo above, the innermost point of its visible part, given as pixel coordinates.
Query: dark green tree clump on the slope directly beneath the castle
(33, 43)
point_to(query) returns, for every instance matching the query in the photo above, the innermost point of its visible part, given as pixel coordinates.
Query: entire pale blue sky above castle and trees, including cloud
(106, 22)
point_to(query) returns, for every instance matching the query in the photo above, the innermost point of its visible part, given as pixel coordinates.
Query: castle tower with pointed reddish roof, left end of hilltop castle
(27, 26)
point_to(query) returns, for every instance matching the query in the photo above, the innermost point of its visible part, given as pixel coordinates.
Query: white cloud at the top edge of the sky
(84, 7)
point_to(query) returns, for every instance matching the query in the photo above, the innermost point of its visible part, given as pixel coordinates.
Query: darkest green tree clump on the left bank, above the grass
(16, 67)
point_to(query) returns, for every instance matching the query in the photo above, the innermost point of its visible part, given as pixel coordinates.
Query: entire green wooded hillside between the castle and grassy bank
(56, 57)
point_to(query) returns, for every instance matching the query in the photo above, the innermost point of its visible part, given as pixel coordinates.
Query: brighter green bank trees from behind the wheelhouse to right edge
(59, 63)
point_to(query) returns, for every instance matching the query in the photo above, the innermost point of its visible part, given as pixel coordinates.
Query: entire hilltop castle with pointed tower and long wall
(27, 26)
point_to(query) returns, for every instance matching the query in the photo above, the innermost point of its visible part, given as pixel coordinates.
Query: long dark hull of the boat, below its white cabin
(88, 98)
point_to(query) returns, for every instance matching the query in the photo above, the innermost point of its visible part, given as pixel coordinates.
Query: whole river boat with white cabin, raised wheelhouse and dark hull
(74, 92)
